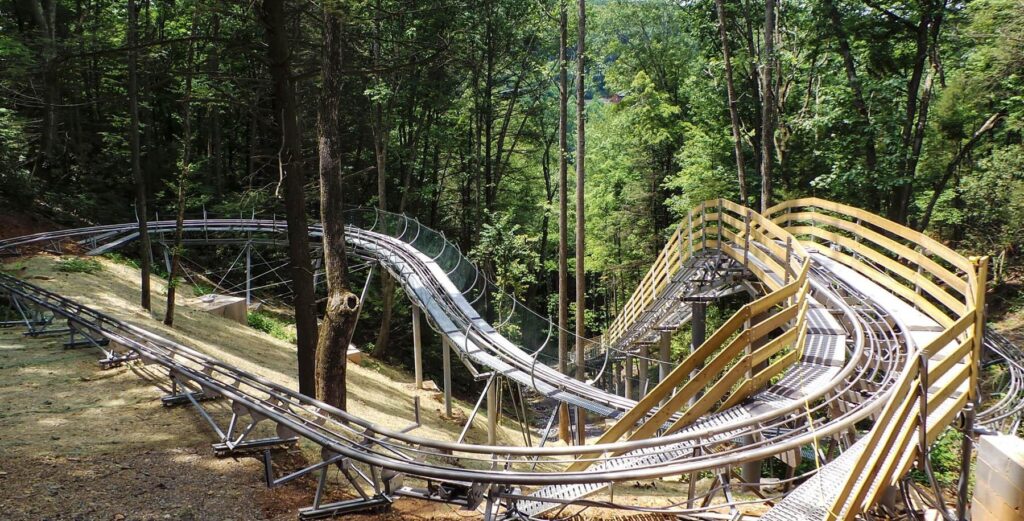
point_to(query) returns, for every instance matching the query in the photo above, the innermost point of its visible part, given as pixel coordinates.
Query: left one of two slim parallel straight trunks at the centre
(564, 231)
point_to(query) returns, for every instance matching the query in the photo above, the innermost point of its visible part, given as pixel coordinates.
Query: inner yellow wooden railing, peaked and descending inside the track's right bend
(757, 343)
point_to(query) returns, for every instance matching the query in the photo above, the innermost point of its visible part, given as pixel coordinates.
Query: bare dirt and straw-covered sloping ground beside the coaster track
(78, 443)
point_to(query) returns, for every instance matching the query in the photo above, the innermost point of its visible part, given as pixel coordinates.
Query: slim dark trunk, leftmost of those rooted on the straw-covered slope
(145, 248)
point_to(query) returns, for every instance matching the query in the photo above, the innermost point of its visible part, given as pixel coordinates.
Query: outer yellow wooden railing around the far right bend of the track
(940, 378)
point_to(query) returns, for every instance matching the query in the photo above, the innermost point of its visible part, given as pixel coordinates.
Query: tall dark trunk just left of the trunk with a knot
(273, 18)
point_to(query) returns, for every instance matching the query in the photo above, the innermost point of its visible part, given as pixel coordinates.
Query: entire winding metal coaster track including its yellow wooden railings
(852, 325)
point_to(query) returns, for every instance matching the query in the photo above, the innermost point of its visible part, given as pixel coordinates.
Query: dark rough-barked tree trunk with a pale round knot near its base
(343, 305)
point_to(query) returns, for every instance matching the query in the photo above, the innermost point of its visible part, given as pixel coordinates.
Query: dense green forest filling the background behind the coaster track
(449, 111)
